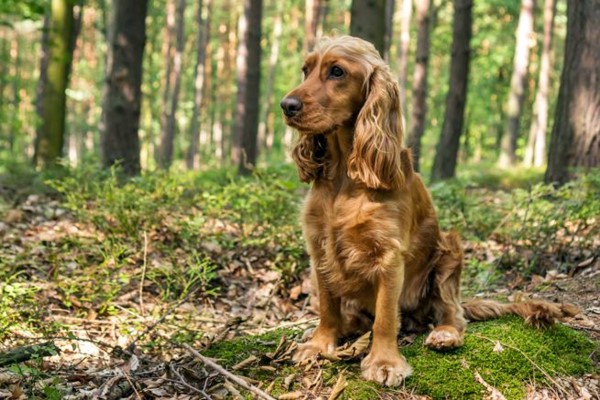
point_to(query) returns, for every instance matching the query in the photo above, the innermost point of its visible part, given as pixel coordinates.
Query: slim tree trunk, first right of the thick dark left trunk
(168, 138)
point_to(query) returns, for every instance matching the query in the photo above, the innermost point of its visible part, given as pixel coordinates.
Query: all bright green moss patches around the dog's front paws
(505, 352)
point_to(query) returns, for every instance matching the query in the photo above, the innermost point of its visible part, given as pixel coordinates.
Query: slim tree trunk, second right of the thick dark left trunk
(193, 157)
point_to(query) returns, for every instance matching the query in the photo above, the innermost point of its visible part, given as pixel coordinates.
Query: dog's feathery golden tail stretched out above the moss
(537, 313)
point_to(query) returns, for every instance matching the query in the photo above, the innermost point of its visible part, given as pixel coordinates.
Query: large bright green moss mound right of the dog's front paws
(557, 351)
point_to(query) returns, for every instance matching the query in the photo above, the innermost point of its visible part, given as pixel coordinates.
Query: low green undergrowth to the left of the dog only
(173, 231)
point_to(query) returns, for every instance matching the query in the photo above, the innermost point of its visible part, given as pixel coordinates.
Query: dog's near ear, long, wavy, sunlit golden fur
(375, 157)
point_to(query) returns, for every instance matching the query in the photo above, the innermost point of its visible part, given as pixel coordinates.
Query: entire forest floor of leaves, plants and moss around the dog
(96, 311)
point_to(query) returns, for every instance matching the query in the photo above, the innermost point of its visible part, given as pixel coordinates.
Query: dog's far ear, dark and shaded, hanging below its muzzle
(309, 154)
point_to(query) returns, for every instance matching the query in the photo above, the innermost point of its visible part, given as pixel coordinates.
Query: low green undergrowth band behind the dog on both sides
(175, 231)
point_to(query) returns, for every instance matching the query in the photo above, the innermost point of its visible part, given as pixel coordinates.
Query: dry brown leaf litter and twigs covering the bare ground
(109, 356)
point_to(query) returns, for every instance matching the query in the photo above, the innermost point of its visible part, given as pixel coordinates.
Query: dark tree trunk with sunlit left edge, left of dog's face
(248, 76)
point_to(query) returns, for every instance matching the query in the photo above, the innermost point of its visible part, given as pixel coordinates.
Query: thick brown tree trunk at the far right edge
(575, 138)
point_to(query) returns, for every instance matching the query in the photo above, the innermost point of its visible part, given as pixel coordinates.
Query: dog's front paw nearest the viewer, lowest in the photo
(385, 369)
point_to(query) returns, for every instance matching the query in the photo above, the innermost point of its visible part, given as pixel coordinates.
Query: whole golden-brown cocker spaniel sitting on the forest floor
(372, 233)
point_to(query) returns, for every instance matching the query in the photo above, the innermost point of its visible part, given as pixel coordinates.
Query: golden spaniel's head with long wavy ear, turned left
(347, 85)
